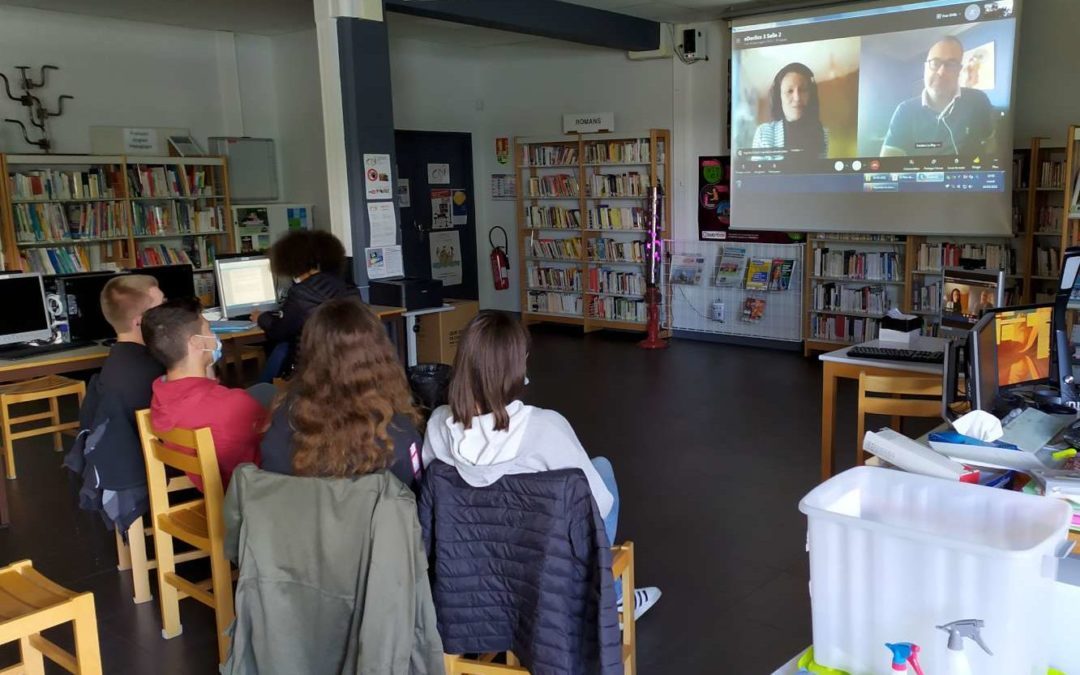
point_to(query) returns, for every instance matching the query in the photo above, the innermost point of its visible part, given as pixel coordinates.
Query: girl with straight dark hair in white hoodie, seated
(487, 433)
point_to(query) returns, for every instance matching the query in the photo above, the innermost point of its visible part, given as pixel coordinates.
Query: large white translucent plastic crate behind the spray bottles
(895, 555)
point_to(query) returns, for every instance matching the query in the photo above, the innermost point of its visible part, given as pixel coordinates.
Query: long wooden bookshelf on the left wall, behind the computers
(66, 214)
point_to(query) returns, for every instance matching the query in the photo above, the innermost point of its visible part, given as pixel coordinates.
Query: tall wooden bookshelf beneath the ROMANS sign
(582, 213)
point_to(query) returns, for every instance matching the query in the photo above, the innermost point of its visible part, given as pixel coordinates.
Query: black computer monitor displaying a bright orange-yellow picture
(1011, 347)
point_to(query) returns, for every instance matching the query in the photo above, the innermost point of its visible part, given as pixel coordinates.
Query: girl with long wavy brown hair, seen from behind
(348, 410)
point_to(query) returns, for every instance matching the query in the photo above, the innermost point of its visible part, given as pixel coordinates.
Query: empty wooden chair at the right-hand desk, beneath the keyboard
(899, 398)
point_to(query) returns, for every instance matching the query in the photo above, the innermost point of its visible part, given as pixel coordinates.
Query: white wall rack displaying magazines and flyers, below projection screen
(738, 289)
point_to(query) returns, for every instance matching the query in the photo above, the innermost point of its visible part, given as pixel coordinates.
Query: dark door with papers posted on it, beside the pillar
(439, 224)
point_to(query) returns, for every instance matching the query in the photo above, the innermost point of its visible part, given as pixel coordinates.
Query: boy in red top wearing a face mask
(188, 397)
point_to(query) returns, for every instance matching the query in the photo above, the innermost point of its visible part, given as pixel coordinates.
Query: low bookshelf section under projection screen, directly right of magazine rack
(850, 282)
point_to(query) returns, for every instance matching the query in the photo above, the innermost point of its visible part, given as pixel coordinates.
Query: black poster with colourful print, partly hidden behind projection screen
(714, 207)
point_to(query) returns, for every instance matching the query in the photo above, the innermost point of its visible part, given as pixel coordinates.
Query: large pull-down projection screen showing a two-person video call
(889, 116)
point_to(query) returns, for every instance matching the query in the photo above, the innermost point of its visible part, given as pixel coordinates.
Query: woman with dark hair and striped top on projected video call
(796, 114)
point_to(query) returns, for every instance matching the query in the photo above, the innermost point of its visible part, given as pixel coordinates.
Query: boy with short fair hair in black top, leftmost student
(109, 454)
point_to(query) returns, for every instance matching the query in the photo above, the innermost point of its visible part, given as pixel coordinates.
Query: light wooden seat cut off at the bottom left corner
(31, 604)
